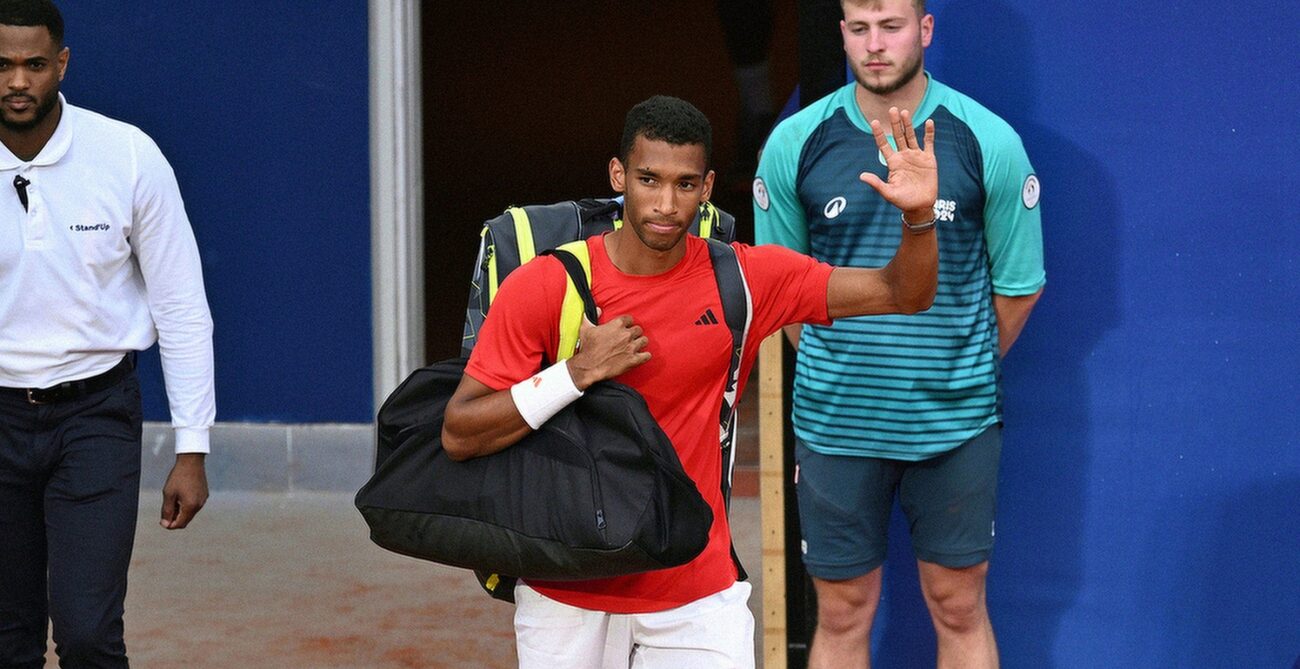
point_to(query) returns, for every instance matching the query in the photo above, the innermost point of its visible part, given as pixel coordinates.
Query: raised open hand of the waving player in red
(913, 184)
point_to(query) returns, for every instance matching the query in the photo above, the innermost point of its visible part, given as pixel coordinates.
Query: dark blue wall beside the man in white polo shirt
(263, 111)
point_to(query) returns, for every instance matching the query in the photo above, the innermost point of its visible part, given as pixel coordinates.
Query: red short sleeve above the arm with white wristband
(522, 328)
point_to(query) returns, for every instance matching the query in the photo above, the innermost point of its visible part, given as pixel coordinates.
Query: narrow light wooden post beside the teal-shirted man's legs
(772, 445)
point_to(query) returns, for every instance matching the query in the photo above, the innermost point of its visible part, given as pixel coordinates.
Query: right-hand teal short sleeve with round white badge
(1013, 227)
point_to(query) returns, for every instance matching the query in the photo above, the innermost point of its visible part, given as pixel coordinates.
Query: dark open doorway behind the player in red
(525, 105)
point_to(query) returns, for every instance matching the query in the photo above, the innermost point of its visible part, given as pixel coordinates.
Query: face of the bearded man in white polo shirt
(32, 66)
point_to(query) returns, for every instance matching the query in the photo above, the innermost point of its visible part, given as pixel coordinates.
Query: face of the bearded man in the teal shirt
(886, 44)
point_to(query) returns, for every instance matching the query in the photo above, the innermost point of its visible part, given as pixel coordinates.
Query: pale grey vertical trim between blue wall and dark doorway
(397, 193)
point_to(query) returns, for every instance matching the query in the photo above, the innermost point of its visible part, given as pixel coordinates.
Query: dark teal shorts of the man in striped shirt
(846, 503)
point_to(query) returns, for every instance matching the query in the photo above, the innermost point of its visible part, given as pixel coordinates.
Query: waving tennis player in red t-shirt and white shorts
(653, 283)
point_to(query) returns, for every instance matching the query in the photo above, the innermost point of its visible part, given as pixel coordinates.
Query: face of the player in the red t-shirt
(662, 185)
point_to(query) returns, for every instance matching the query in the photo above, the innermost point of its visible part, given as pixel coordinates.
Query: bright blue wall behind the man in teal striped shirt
(1150, 503)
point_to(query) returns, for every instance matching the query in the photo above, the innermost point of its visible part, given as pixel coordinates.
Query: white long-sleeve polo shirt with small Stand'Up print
(103, 262)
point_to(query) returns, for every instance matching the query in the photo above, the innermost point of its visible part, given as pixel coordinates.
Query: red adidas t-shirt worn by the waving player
(682, 383)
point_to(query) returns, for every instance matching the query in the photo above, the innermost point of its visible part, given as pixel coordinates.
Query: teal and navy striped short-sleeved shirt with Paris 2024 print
(903, 388)
